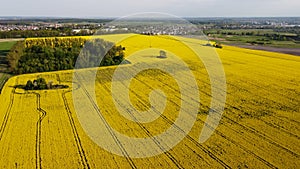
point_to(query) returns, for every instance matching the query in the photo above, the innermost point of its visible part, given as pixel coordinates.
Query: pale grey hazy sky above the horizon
(116, 8)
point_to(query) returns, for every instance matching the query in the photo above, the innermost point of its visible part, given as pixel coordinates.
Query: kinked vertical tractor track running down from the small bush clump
(42, 114)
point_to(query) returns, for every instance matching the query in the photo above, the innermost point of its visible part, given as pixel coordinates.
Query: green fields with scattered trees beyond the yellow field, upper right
(261, 39)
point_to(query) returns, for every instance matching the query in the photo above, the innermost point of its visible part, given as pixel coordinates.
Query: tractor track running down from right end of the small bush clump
(80, 149)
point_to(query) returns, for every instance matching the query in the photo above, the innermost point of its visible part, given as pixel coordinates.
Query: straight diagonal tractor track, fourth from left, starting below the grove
(117, 141)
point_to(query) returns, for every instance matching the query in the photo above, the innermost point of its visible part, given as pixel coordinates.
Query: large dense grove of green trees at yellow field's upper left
(44, 55)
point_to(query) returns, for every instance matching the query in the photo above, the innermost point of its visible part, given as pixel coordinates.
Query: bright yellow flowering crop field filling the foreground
(259, 127)
